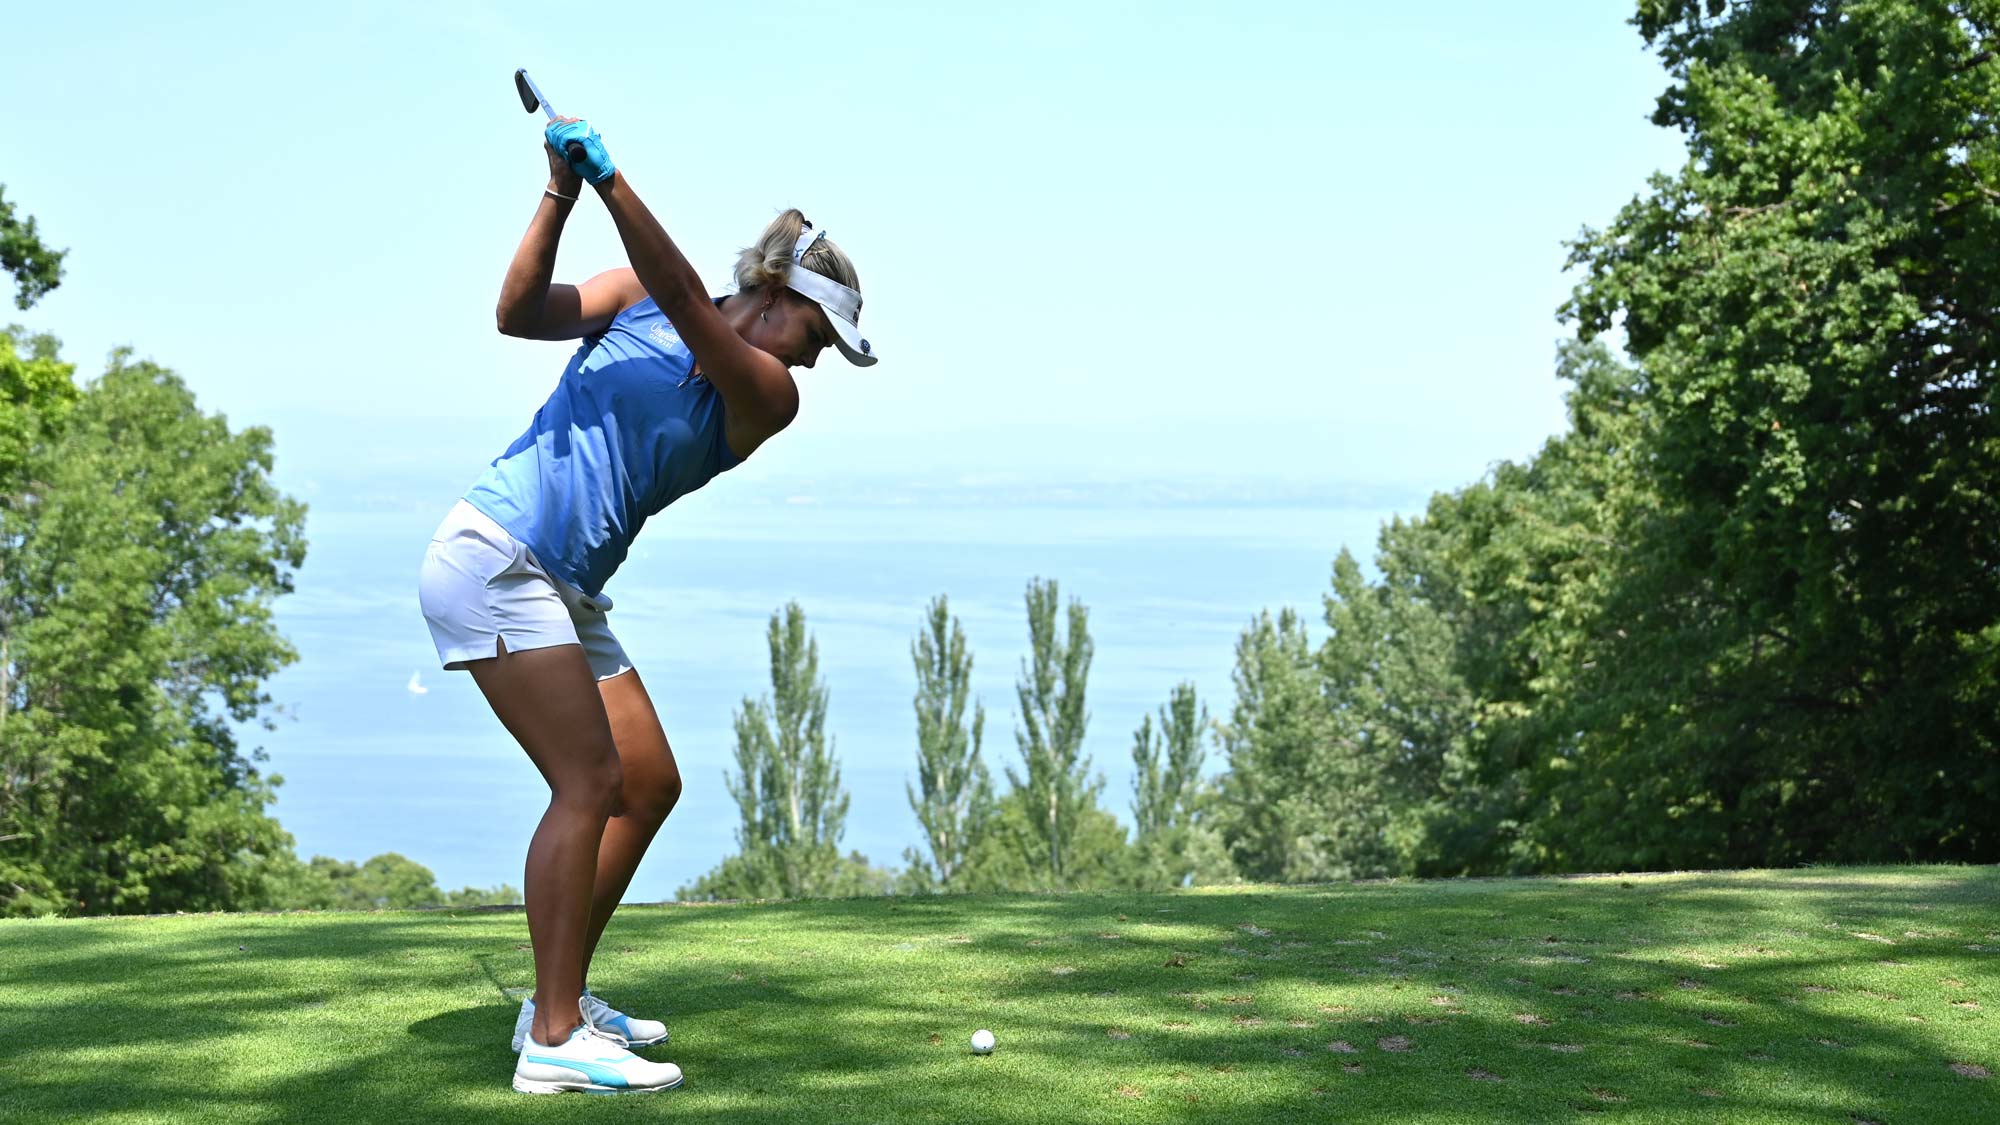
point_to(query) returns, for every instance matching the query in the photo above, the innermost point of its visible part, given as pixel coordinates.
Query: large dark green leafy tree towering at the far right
(1799, 638)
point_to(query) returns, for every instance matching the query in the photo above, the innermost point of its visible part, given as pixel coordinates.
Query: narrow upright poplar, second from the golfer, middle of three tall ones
(955, 796)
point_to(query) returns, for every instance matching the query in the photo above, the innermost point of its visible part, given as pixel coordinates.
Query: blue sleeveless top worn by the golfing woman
(627, 433)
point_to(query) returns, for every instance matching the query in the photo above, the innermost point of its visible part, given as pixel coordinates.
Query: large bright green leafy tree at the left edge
(143, 547)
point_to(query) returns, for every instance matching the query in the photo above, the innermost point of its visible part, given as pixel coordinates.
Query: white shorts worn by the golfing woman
(481, 586)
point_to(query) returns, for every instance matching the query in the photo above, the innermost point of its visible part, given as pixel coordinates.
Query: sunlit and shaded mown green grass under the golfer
(1761, 996)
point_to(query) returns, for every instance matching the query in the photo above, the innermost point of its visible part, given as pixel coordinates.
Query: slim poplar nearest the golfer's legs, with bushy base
(787, 784)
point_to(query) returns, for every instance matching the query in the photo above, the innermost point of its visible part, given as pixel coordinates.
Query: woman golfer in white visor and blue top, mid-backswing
(667, 391)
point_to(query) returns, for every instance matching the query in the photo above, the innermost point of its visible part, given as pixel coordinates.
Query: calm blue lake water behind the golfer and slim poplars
(371, 768)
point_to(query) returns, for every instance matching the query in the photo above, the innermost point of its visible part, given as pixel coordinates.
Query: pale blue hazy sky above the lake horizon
(1099, 241)
